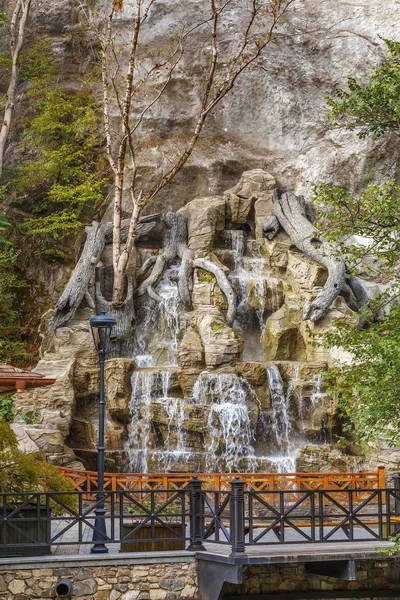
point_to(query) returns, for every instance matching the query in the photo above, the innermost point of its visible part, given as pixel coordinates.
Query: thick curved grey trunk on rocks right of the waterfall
(291, 214)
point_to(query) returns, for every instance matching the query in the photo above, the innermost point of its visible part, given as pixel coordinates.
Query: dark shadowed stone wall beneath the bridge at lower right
(286, 578)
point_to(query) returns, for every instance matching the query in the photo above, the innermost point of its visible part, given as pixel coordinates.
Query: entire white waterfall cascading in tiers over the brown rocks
(222, 424)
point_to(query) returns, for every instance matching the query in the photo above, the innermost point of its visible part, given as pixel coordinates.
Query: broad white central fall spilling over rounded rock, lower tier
(229, 421)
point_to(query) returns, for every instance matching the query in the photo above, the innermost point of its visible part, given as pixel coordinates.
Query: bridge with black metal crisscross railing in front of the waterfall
(229, 521)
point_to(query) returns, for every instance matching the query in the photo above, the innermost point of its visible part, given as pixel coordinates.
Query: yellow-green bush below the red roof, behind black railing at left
(22, 472)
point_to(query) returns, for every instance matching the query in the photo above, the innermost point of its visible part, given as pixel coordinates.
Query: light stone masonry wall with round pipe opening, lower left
(168, 581)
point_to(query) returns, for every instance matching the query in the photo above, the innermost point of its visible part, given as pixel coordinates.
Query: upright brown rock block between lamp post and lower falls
(118, 374)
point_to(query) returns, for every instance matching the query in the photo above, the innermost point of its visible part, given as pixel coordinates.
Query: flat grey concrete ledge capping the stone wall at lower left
(98, 560)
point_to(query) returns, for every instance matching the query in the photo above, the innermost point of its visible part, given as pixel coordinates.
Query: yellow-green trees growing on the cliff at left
(48, 195)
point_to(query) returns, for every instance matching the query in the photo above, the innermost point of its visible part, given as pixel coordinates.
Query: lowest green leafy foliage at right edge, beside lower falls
(367, 391)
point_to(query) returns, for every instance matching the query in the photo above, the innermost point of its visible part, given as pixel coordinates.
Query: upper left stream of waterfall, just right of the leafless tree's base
(157, 331)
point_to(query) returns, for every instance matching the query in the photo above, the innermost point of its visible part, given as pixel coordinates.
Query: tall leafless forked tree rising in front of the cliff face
(138, 88)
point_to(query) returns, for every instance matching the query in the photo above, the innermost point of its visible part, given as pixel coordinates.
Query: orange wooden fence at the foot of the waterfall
(86, 481)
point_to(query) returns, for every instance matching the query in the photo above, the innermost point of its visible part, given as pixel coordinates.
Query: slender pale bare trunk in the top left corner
(17, 28)
